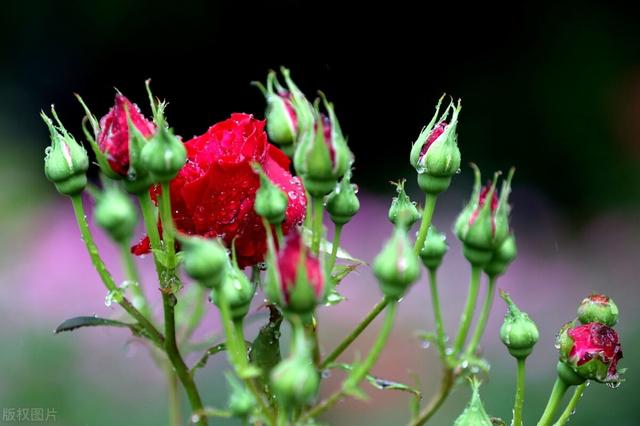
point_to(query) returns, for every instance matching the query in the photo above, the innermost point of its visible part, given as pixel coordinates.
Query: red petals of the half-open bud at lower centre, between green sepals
(288, 263)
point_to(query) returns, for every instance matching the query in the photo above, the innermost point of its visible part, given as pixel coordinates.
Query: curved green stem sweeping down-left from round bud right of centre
(361, 370)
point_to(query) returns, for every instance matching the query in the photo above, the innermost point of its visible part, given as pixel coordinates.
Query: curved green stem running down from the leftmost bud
(104, 274)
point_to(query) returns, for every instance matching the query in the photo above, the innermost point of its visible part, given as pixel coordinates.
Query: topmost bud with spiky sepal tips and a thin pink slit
(282, 120)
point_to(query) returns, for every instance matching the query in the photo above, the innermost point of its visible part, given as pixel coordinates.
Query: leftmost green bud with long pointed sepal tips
(66, 162)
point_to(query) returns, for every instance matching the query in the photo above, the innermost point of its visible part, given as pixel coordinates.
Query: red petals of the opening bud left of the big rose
(113, 139)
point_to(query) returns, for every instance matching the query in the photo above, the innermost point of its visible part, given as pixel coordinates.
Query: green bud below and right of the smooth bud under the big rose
(238, 292)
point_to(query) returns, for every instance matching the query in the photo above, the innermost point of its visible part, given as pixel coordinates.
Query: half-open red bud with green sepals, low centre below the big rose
(296, 279)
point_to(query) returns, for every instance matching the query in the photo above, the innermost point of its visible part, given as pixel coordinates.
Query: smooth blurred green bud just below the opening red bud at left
(116, 214)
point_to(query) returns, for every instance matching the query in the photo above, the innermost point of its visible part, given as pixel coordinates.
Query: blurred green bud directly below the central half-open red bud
(295, 380)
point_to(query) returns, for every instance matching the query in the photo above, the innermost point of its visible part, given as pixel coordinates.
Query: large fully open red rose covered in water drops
(214, 193)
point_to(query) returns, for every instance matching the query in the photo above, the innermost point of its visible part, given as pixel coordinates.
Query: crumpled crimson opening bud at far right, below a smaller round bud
(591, 351)
